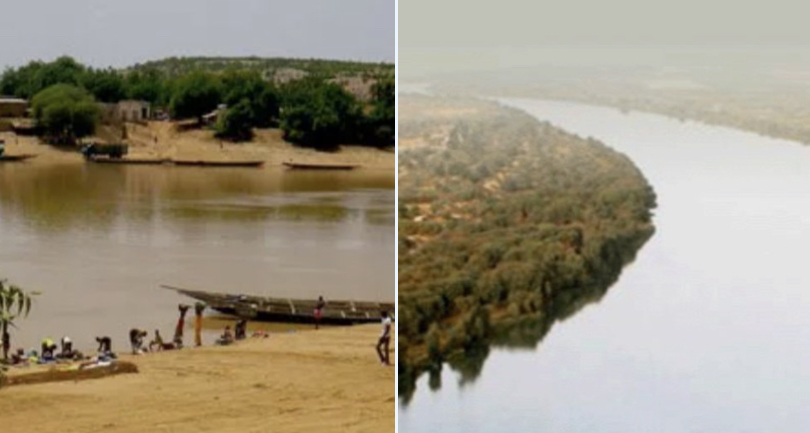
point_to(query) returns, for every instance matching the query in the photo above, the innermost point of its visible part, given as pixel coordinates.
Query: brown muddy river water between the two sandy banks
(98, 241)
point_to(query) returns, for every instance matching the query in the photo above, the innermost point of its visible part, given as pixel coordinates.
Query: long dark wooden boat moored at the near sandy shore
(287, 310)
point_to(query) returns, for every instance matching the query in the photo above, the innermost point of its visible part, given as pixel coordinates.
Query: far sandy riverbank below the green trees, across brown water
(163, 140)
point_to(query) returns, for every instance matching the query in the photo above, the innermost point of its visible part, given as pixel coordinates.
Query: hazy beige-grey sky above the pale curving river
(447, 34)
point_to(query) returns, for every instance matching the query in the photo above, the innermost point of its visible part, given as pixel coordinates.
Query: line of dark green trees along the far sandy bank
(312, 111)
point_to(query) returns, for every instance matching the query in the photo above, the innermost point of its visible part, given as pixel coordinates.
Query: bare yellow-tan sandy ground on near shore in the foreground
(312, 381)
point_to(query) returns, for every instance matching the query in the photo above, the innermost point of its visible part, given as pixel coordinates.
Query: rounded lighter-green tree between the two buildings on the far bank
(65, 113)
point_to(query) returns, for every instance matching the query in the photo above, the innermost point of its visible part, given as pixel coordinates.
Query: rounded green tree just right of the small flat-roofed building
(195, 94)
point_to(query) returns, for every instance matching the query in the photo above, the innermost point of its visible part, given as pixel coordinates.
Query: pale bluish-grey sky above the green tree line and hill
(121, 33)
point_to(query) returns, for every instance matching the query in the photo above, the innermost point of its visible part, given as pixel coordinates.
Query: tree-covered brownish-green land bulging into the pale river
(506, 225)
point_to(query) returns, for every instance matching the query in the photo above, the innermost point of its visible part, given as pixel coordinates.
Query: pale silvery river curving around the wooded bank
(705, 332)
